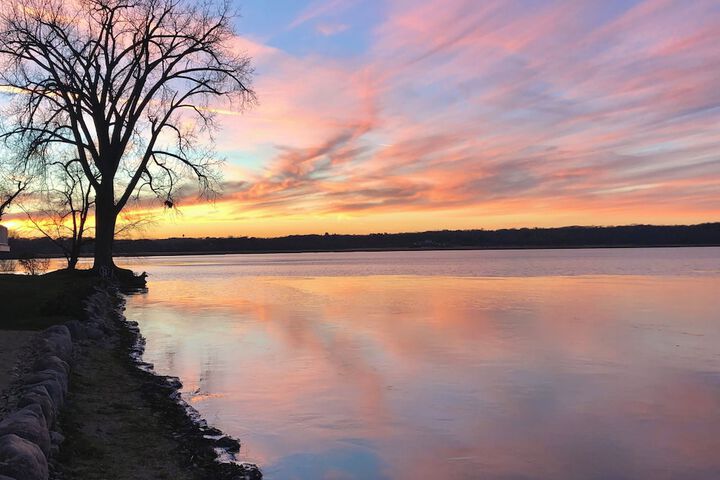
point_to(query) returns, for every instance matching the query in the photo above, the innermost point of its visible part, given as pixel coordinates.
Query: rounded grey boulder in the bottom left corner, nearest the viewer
(21, 459)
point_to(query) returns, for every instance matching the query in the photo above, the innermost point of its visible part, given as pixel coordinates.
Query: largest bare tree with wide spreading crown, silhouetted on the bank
(128, 85)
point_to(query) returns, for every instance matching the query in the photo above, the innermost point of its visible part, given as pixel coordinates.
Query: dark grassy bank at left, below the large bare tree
(36, 302)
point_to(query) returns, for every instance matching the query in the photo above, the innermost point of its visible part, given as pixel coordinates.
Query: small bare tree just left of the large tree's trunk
(66, 205)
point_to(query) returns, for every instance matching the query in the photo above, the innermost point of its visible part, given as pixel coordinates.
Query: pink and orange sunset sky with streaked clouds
(405, 115)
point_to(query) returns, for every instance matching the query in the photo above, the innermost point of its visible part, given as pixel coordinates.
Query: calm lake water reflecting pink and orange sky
(574, 364)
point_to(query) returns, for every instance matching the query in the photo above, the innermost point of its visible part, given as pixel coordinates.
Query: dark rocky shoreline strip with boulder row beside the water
(66, 358)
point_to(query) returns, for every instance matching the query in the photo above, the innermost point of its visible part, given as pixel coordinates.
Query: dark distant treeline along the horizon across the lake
(564, 237)
